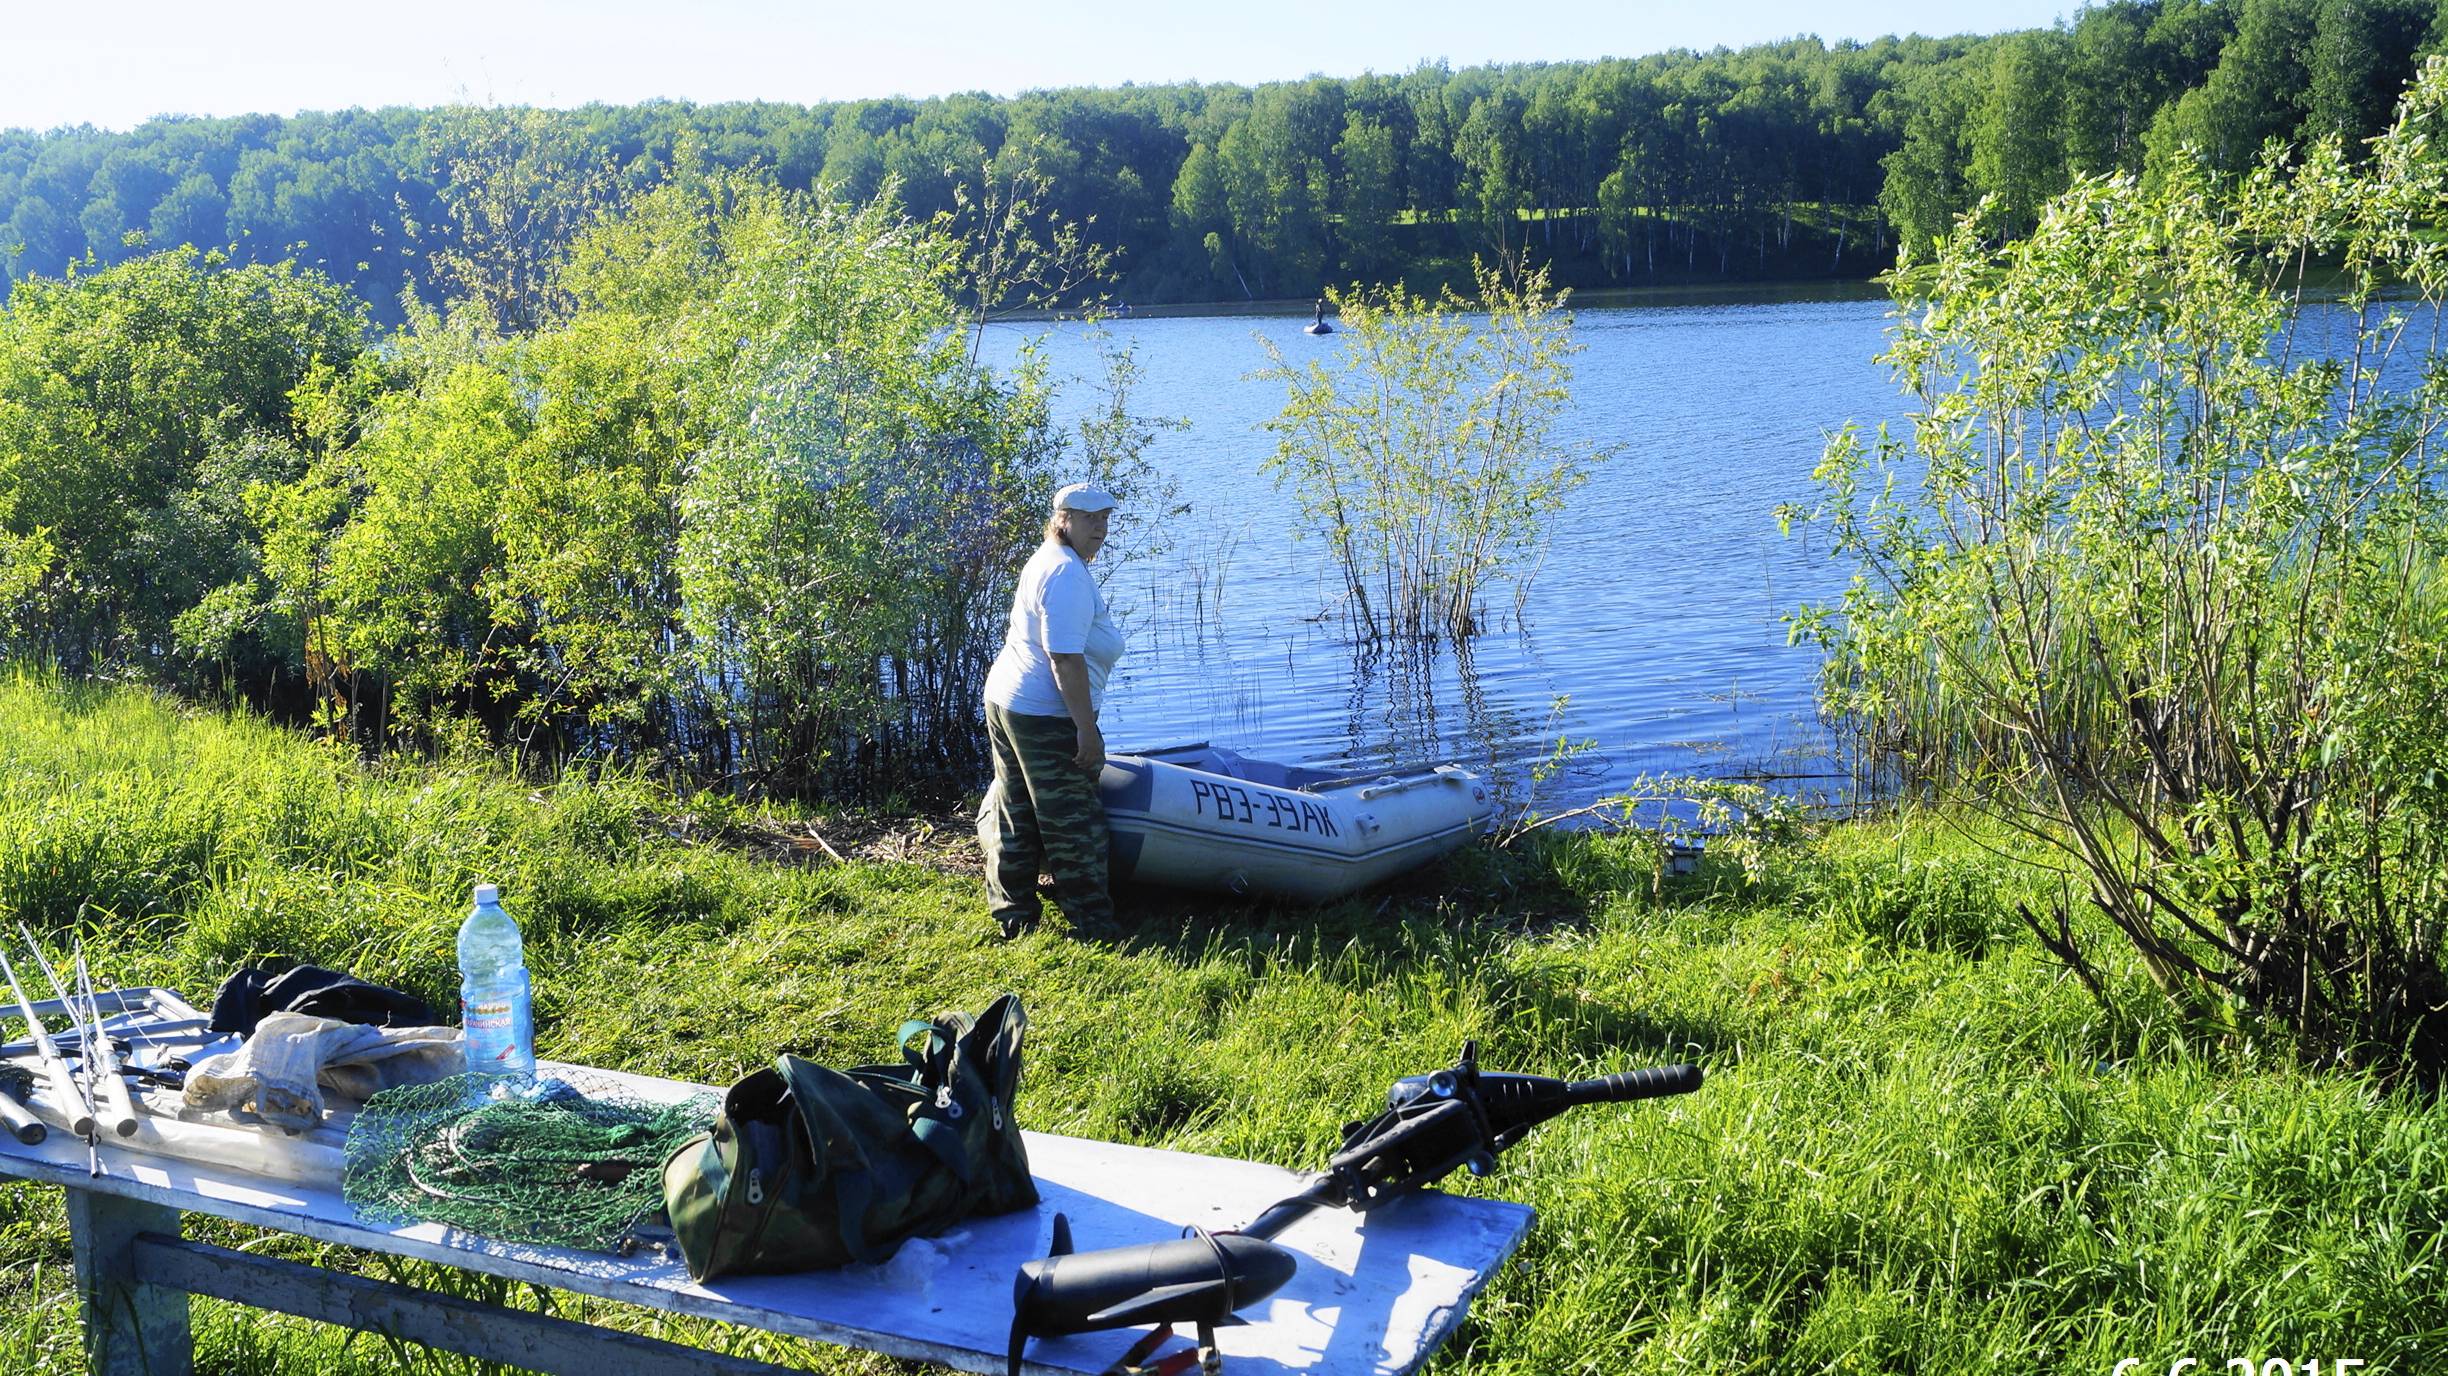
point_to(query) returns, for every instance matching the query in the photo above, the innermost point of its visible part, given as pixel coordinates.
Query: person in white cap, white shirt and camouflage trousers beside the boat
(1042, 728)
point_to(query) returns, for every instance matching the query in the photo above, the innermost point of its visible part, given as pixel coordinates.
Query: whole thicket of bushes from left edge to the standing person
(726, 493)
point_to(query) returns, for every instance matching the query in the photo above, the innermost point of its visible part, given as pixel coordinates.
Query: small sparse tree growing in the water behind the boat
(1424, 449)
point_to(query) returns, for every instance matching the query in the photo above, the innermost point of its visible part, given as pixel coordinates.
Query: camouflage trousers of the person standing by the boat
(1042, 812)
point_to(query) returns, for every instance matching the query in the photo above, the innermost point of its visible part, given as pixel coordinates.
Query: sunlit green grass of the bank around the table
(1920, 1147)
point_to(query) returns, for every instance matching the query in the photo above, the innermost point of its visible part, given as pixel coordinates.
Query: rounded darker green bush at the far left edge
(136, 408)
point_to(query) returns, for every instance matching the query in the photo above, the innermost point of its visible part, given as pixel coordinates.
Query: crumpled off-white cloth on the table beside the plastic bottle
(285, 1066)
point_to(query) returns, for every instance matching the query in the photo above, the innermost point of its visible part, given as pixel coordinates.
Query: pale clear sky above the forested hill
(116, 65)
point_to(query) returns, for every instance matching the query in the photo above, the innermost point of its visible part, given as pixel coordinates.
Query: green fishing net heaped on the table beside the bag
(559, 1162)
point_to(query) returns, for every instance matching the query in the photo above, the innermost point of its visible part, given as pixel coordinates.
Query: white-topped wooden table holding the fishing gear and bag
(1372, 1296)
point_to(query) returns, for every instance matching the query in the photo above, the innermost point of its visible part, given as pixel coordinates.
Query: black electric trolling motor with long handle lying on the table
(1431, 1127)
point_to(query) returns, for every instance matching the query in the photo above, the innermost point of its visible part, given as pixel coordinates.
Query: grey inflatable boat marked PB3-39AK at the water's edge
(1203, 817)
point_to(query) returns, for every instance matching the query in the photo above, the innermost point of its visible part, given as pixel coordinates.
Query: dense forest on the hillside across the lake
(1778, 160)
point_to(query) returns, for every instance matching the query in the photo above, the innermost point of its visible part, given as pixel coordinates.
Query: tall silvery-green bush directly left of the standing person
(860, 498)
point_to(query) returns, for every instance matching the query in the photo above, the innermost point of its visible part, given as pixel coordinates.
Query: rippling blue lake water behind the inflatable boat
(1659, 616)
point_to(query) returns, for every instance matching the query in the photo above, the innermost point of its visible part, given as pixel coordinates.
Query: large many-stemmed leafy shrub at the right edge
(2158, 577)
